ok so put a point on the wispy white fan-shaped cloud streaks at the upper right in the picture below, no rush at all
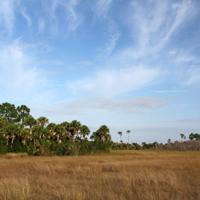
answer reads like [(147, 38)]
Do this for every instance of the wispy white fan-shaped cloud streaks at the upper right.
[(156, 24)]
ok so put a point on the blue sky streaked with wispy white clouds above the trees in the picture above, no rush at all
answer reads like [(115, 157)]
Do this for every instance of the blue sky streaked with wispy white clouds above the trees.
[(130, 64)]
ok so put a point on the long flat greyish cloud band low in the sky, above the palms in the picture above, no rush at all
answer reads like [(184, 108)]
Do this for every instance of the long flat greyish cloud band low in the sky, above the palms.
[(87, 105)]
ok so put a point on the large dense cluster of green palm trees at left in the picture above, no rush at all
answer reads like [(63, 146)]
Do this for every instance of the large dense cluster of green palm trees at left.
[(21, 132)]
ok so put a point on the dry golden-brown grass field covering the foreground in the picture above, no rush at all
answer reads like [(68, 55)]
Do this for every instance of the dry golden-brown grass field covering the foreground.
[(119, 175)]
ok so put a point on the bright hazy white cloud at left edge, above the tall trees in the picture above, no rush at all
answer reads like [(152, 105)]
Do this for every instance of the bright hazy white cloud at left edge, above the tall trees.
[(20, 77)]
